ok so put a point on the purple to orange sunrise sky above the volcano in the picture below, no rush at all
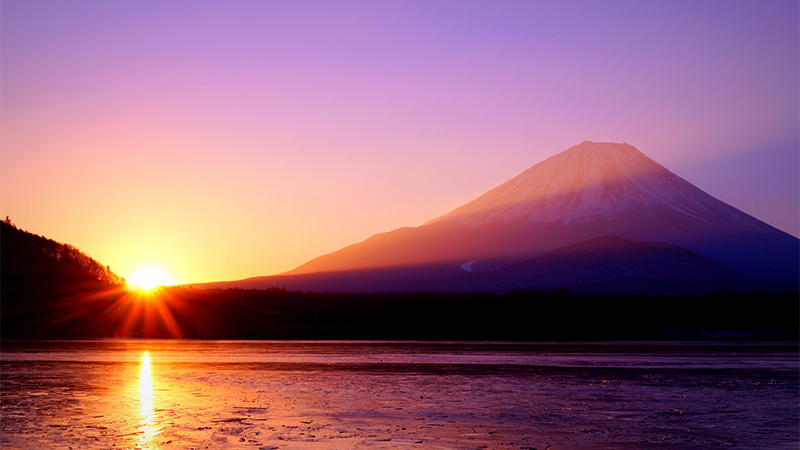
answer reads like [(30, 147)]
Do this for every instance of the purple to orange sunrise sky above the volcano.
[(220, 140)]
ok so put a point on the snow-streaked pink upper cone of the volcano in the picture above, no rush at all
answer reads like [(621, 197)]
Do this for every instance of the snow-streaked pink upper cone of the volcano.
[(585, 182)]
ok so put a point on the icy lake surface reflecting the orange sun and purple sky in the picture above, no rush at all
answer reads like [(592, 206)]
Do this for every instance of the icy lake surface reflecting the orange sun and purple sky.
[(387, 395)]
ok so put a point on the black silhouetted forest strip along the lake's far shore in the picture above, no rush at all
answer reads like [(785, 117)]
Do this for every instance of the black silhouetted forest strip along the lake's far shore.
[(176, 312)]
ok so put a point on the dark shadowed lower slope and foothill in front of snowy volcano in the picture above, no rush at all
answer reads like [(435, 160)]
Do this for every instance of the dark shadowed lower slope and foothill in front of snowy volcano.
[(607, 265)]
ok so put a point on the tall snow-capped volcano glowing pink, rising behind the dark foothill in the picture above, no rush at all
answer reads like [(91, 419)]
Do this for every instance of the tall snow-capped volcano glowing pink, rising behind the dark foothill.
[(589, 191)]
